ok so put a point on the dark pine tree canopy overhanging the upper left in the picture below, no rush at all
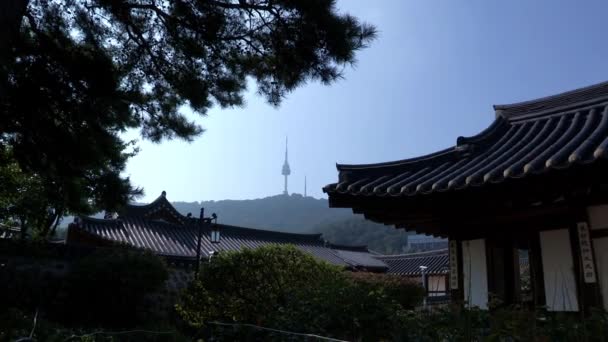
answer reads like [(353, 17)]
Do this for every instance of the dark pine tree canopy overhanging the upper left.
[(76, 74)]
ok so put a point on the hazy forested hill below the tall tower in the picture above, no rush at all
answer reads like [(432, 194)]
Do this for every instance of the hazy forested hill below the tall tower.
[(299, 214)]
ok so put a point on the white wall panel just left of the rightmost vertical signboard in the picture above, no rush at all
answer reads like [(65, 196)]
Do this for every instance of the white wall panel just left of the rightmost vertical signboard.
[(558, 270)]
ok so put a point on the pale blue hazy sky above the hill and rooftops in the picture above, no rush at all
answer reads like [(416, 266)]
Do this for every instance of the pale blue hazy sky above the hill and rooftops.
[(433, 74)]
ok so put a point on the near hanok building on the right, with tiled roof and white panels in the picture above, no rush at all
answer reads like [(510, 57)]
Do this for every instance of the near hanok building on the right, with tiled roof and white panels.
[(534, 181)]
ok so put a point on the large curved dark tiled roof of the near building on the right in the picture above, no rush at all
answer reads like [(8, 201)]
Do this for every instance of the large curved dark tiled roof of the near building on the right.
[(532, 137)]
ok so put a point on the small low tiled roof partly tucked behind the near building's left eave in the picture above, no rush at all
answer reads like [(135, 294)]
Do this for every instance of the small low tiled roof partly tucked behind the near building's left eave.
[(437, 262)]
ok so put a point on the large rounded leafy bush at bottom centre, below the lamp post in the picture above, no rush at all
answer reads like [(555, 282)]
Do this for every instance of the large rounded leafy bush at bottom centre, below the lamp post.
[(281, 287)]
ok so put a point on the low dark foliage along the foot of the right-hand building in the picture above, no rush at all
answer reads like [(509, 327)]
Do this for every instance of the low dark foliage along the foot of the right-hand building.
[(504, 324)]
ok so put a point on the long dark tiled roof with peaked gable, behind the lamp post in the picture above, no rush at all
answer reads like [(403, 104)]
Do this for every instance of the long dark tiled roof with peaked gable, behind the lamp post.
[(160, 228)]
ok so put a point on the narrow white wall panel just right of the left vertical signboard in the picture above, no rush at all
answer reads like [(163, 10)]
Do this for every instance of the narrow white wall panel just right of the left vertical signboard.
[(475, 273)]
